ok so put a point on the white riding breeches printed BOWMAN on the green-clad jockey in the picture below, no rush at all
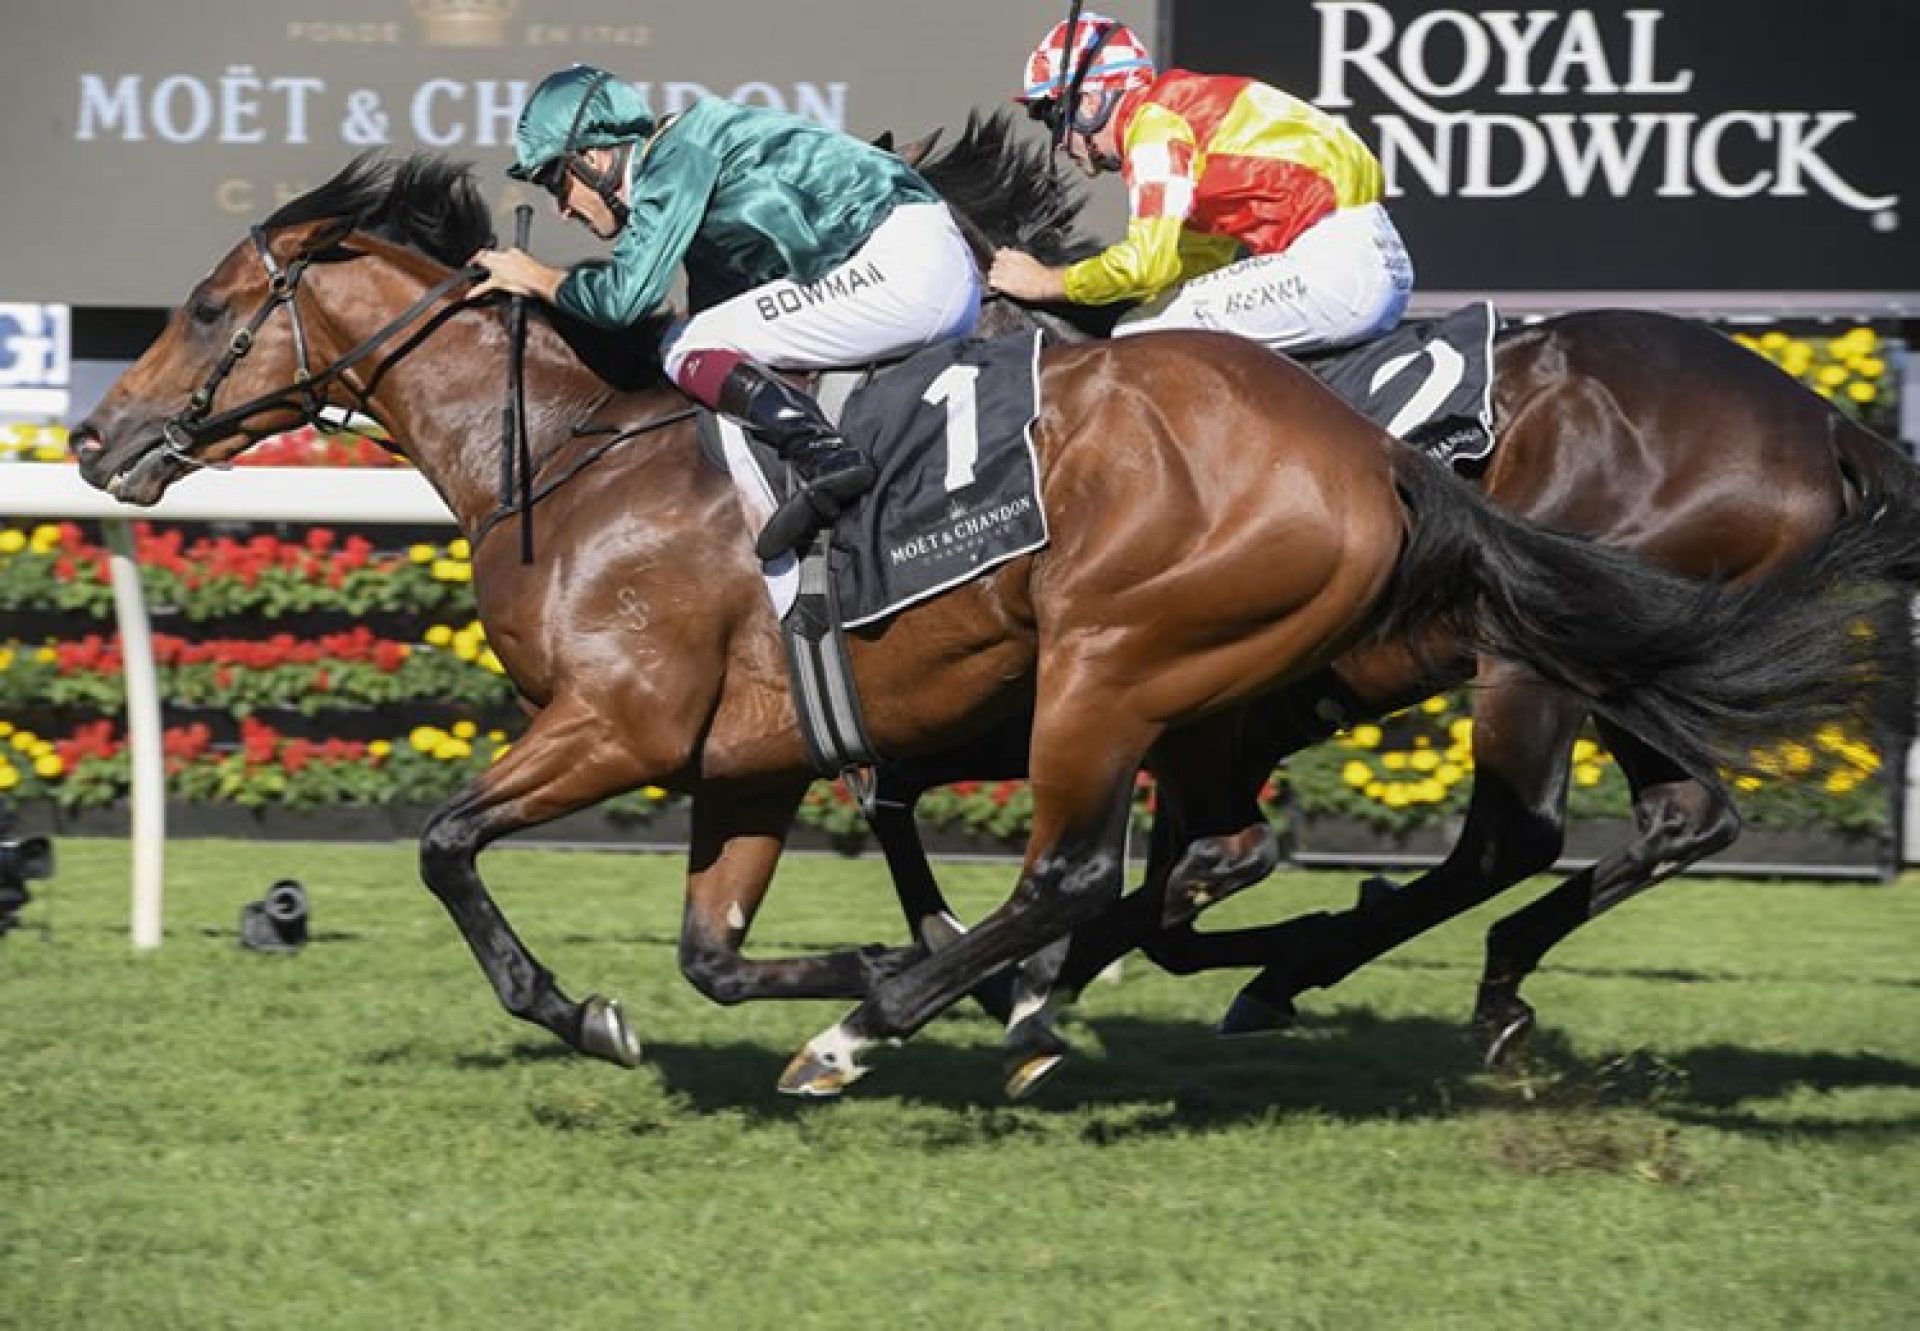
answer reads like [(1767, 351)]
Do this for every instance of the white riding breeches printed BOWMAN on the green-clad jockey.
[(911, 285)]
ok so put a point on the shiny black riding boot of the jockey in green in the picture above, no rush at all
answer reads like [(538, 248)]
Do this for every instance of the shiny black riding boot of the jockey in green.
[(832, 470)]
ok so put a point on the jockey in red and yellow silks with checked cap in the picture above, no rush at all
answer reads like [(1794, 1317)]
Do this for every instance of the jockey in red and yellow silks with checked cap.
[(1251, 210)]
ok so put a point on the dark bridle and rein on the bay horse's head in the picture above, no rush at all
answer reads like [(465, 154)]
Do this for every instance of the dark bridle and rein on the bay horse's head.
[(308, 393)]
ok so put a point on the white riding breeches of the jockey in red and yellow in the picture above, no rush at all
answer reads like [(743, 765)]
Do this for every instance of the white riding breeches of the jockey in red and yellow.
[(1345, 279)]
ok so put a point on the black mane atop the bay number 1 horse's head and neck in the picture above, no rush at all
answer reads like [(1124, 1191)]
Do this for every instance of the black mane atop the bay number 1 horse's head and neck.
[(423, 203)]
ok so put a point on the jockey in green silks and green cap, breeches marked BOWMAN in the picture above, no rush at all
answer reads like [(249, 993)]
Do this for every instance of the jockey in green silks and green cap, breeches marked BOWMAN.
[(805, 249)]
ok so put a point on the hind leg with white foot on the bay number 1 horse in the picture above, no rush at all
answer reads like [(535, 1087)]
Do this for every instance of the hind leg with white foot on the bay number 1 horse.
[(1086, 758)]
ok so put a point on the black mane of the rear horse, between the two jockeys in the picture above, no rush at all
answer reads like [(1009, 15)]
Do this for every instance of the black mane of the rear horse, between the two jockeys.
[(1003, 183)]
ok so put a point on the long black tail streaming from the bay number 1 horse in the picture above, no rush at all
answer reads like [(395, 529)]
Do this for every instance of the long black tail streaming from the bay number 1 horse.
[(1704, 673)]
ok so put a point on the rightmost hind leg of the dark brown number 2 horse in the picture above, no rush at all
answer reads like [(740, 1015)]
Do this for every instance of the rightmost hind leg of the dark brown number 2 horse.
[(1677, 823)]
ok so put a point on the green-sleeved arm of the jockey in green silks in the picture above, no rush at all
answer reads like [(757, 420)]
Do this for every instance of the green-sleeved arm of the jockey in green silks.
[(671, 195)]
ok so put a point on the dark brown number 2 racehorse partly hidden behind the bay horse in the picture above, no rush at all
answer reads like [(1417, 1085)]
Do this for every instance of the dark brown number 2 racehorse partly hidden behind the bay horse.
[(1639, 429)]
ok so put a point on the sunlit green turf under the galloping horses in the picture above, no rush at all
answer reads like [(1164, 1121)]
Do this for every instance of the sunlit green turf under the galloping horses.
[(1717, 1126)]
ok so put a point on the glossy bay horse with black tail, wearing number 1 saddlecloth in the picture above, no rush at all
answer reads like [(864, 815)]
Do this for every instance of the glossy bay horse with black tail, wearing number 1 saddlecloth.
[(1222, 527)]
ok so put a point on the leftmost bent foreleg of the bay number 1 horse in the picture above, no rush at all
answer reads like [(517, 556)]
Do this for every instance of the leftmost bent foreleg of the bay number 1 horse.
[(560, 765)]
